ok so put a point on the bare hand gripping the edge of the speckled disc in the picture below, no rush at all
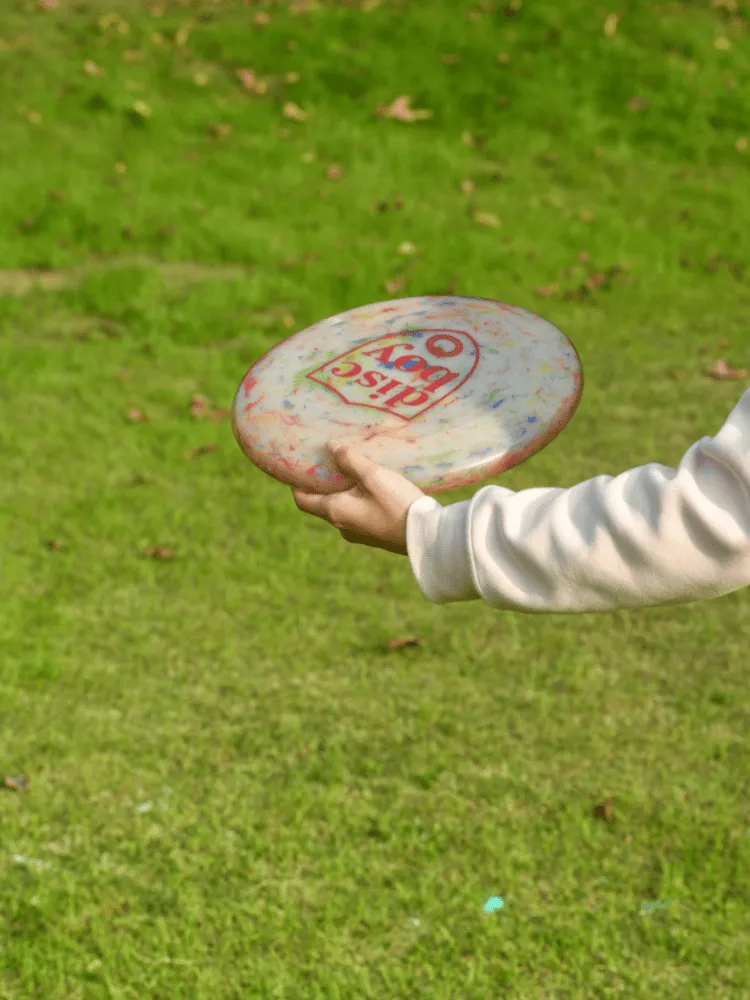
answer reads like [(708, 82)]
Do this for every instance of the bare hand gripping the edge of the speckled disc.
[(373, 512)]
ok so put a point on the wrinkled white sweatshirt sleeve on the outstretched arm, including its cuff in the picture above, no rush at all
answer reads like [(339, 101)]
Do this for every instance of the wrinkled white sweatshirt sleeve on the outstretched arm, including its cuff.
[(651, 536)]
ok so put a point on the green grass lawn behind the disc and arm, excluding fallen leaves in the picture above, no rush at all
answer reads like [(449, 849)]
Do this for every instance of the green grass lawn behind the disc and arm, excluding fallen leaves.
[(236, 789)]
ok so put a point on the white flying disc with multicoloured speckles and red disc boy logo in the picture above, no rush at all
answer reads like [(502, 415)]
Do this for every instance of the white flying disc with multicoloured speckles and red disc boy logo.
[(446, 390)]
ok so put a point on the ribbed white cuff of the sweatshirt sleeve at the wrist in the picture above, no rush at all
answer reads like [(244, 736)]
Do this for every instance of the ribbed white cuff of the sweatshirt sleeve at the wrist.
[(438, 549)]
